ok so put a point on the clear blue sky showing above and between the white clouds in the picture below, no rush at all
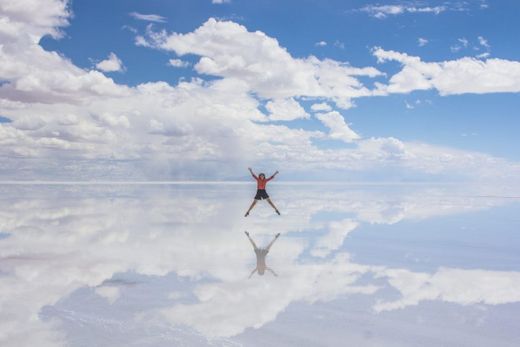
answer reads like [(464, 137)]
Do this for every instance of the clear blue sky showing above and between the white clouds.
[(484, 123)]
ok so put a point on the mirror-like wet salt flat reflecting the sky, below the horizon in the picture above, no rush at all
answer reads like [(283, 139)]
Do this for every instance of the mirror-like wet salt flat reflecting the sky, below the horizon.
[(170, 265)]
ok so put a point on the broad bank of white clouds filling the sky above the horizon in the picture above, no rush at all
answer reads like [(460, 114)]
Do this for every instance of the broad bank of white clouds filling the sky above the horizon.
[(72, 123)]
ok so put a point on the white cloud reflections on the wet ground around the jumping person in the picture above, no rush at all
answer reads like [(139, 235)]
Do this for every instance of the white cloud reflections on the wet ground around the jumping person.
[(63, 240)]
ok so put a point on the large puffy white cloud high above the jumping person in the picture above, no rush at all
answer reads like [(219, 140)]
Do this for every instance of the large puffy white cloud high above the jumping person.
[(228, 50)]
